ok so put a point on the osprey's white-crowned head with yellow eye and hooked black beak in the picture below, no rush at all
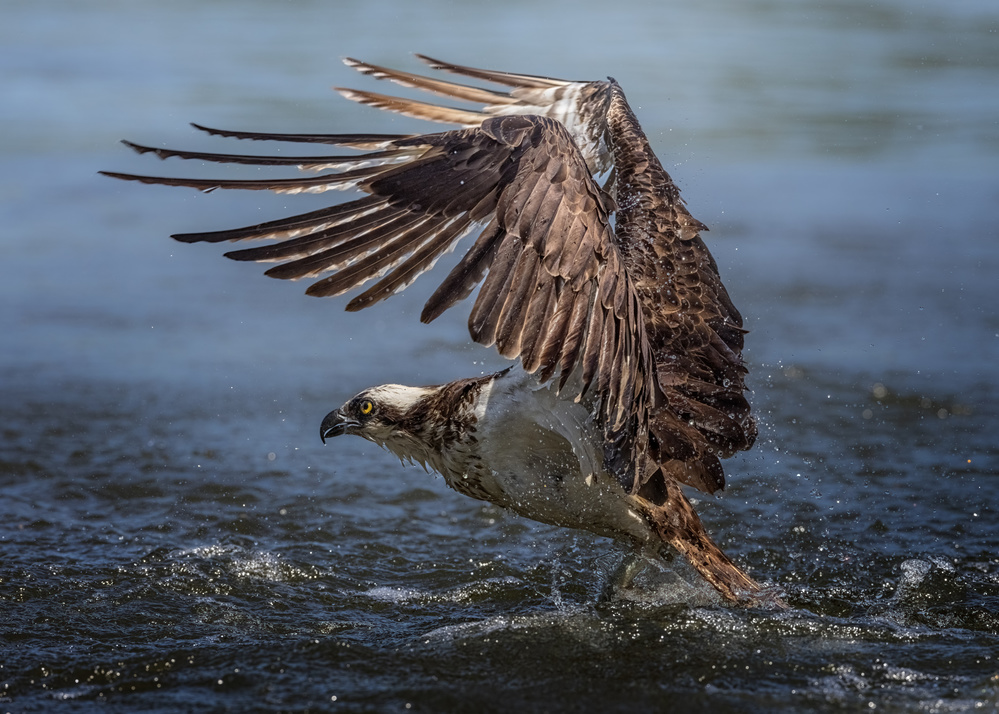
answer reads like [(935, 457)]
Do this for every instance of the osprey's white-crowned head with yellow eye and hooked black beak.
[(387, 415)]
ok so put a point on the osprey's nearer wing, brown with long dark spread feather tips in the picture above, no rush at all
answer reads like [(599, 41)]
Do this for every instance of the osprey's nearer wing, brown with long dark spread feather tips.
[(554, 290)]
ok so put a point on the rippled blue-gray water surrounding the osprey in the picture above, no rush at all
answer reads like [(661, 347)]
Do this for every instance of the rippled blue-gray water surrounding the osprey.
[(174, 537)]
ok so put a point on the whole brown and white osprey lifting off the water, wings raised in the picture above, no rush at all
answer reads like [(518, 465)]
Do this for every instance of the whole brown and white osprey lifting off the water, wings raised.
[(593, 275)]
